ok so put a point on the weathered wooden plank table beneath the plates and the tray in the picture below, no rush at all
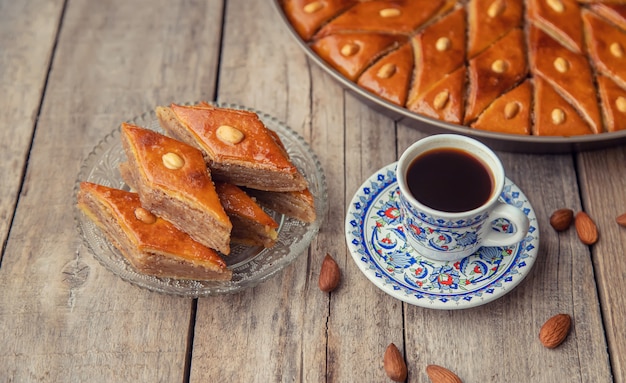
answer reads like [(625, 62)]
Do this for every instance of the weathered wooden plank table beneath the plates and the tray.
[(72, 71)]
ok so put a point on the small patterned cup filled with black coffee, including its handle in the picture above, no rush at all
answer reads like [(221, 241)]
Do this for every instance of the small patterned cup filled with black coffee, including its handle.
[(449, 197)]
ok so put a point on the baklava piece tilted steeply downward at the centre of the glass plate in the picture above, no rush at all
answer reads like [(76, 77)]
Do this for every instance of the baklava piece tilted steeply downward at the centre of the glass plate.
[(173, 182)]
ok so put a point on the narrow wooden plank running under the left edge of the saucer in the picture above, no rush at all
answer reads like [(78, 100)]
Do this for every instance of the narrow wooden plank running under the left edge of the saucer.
[(364, 320)]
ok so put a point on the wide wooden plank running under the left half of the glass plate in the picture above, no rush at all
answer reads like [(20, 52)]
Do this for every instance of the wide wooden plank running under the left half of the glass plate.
[(62, 315)]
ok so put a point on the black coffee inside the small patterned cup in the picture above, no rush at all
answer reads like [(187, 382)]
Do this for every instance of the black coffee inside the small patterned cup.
[(449, 180)]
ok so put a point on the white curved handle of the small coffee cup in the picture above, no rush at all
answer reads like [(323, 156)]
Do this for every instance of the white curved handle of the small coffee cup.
[(513, 215)]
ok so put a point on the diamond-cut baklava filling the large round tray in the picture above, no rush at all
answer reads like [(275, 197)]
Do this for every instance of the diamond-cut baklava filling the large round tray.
[(463, 61)]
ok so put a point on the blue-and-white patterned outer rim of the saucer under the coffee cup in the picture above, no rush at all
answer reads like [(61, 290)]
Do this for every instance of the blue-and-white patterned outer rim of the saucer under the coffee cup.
[(357, 216)]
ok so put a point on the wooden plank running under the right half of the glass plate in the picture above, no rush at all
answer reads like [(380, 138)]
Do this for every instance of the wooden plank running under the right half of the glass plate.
[(277, 330)]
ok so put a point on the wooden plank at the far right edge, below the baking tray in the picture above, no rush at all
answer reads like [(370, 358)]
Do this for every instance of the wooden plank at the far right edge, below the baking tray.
[(603, 184)]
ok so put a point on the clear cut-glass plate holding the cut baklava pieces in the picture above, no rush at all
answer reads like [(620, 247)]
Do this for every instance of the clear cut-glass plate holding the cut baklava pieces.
[(262, 265)]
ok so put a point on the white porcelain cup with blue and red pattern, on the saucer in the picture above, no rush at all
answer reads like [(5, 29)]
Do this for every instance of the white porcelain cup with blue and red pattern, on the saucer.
[(452, 235)]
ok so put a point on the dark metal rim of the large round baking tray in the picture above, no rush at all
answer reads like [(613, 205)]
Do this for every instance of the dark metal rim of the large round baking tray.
[(498, 141)]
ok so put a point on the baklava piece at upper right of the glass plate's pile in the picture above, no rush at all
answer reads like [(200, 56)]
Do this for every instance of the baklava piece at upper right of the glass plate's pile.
[(237, 146)]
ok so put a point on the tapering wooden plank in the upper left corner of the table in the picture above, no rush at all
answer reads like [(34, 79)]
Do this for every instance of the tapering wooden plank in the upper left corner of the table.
[(27, 31)]
